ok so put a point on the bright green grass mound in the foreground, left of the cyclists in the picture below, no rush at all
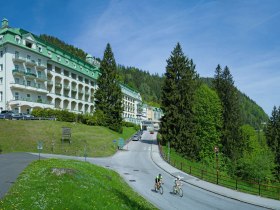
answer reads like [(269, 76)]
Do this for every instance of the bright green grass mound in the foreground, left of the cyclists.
[(68, 184)]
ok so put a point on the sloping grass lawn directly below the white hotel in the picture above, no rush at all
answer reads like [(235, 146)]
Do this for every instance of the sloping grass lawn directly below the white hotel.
[(23, 135)]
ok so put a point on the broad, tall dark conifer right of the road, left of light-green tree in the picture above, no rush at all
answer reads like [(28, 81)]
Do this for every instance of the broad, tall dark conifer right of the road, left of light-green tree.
[(177, 103)]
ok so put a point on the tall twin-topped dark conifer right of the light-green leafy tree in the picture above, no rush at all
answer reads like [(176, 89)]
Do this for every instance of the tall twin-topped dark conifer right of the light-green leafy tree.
[(231, 137)]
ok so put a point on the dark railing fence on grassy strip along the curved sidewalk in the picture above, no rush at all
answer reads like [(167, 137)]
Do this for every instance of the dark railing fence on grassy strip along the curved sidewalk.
[(248, 186)]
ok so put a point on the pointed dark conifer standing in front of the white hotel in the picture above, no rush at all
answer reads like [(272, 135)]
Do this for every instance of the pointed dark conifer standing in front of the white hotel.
[(108, 95)]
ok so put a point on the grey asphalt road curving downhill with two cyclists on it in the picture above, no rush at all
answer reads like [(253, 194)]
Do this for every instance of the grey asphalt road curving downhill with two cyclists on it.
[(138, 169)]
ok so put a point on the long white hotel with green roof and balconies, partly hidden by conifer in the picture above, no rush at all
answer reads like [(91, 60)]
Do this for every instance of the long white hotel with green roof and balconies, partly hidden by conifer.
[(37, 74)]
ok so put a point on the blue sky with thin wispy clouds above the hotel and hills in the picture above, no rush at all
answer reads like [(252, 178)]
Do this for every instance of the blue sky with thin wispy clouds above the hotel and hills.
[(242, 34)]
